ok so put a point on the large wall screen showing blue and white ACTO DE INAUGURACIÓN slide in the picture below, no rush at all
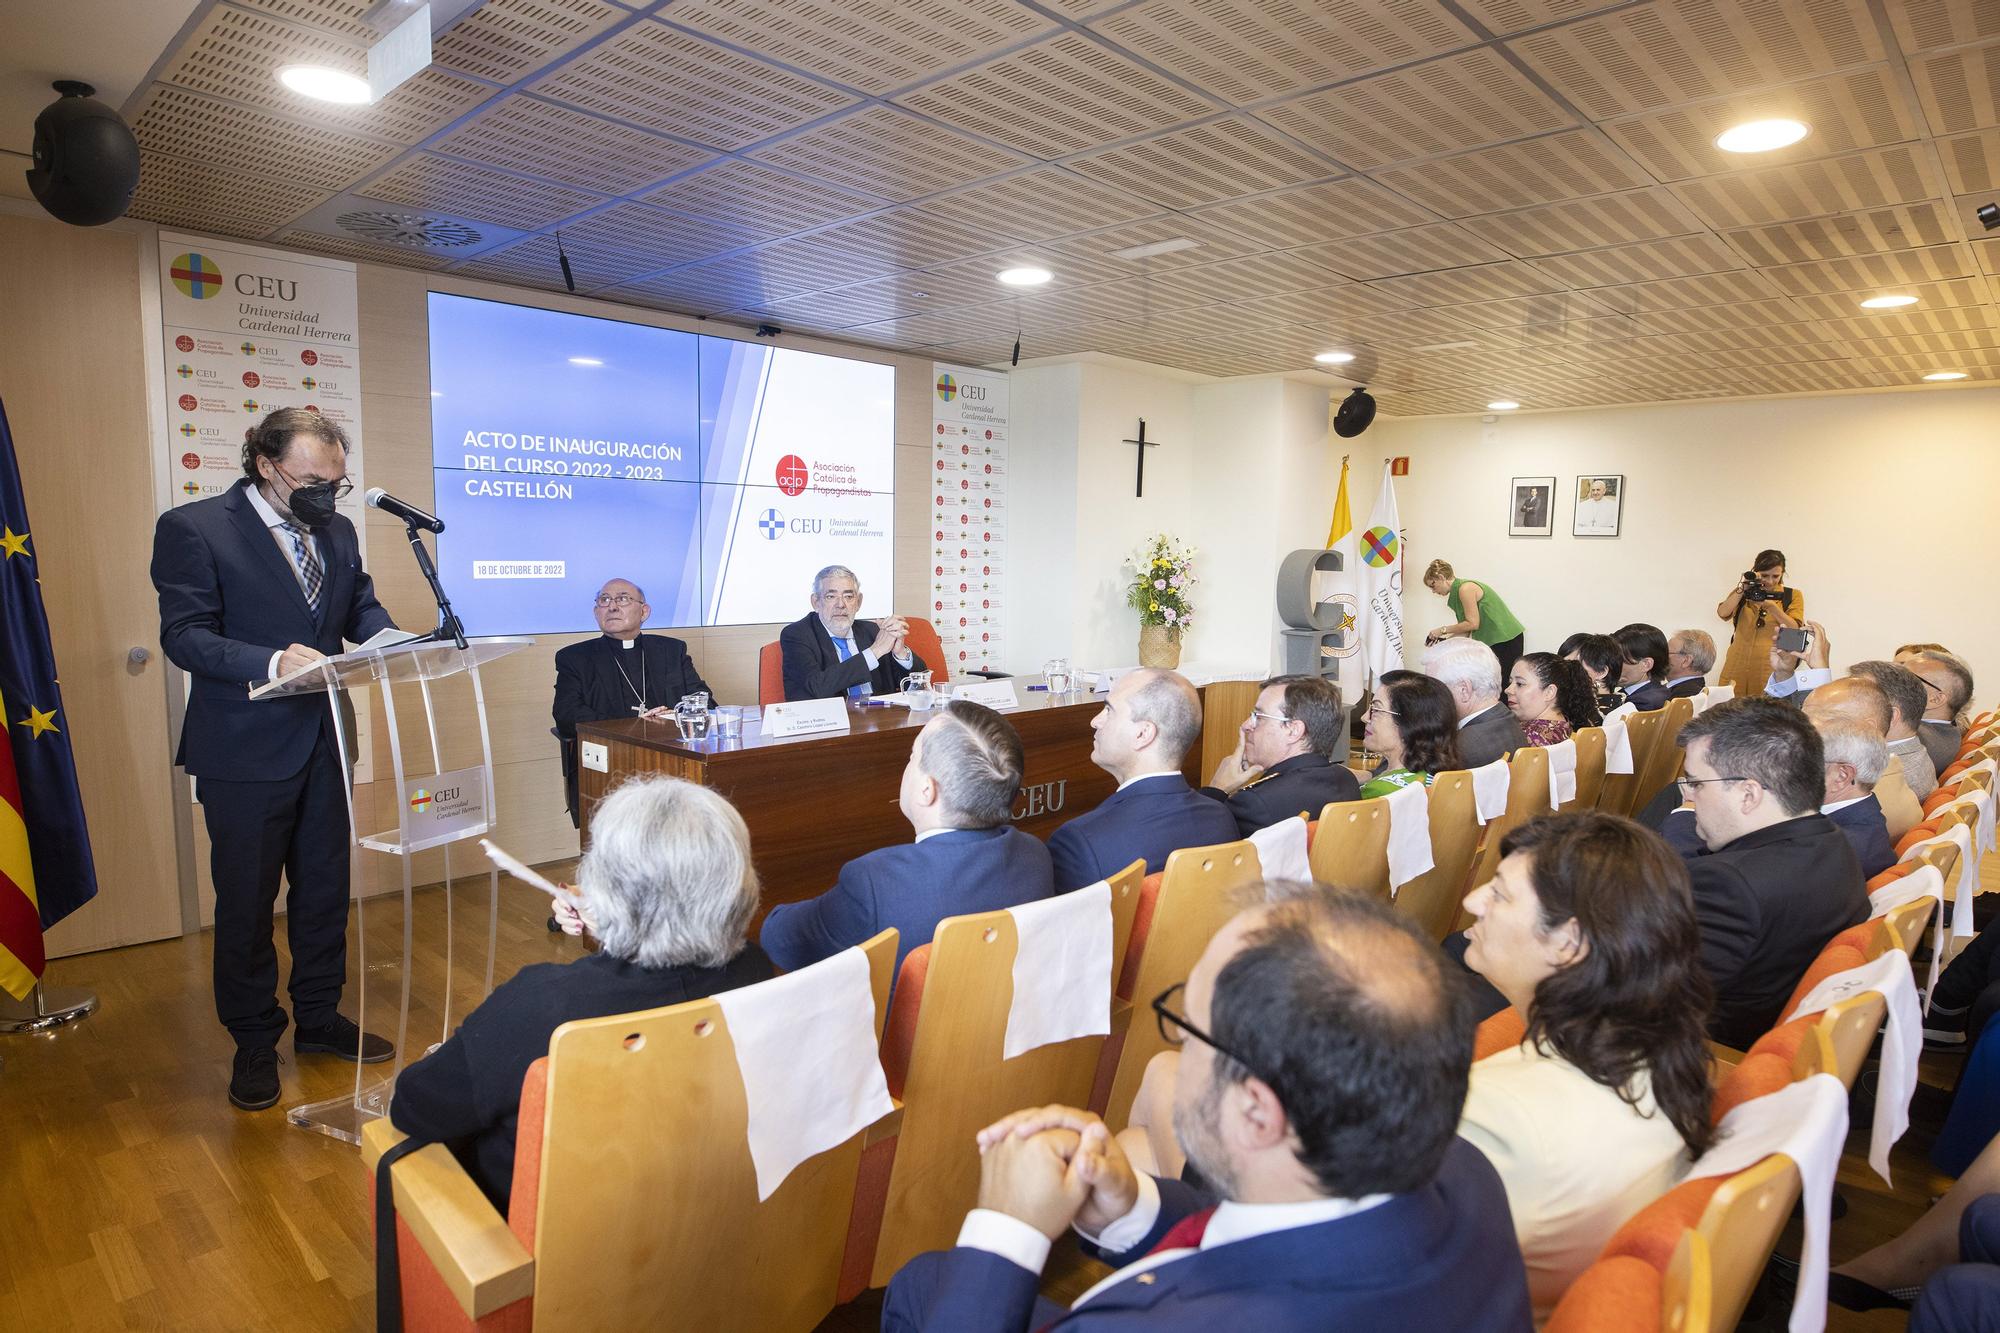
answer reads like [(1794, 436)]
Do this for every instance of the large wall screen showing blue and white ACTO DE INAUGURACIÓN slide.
[(717, 475)]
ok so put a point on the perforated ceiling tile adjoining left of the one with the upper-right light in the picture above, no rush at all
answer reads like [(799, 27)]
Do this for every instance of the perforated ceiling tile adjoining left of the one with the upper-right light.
[(1539, 171)]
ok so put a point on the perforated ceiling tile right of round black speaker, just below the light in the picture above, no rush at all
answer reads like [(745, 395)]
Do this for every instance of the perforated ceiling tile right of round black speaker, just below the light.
[(207, 131)]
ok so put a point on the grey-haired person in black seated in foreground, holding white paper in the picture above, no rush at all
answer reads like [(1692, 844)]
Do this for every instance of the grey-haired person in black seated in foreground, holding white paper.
[(667, 890)]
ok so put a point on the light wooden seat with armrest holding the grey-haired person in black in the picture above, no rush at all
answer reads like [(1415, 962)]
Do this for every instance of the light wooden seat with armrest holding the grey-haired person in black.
[(623, 1124)]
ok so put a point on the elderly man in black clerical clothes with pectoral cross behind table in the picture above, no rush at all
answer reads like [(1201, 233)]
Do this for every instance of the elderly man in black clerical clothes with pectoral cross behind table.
[(619, 674)]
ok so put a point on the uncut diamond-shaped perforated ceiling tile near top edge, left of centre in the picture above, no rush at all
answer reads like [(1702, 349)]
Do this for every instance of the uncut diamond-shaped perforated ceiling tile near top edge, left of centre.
[(683, 85)]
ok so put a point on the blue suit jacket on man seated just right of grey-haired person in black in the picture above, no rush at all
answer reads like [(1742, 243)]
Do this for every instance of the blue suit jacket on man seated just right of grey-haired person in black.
[(911, 888)]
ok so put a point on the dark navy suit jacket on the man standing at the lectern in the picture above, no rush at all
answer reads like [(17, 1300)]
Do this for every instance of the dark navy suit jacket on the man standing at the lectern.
[(229, 599)]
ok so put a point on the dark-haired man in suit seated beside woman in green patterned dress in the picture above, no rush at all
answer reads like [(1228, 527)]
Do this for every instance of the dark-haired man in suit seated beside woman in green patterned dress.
[(1287, 760)]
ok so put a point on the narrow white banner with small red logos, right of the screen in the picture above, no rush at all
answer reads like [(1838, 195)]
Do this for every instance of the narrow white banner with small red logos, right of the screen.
[(969, 511)]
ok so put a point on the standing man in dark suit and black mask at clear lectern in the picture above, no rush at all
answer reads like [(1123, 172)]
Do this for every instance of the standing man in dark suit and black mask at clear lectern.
[(257, 583)]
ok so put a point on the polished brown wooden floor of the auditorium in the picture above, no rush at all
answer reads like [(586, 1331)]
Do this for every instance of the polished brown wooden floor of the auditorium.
[(139, 1198)]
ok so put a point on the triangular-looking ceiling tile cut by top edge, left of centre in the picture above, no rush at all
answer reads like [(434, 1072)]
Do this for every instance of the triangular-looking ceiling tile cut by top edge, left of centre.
[(869, 45)]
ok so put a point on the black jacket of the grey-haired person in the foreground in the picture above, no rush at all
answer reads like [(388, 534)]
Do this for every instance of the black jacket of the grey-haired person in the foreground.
[(467, 1094)]
